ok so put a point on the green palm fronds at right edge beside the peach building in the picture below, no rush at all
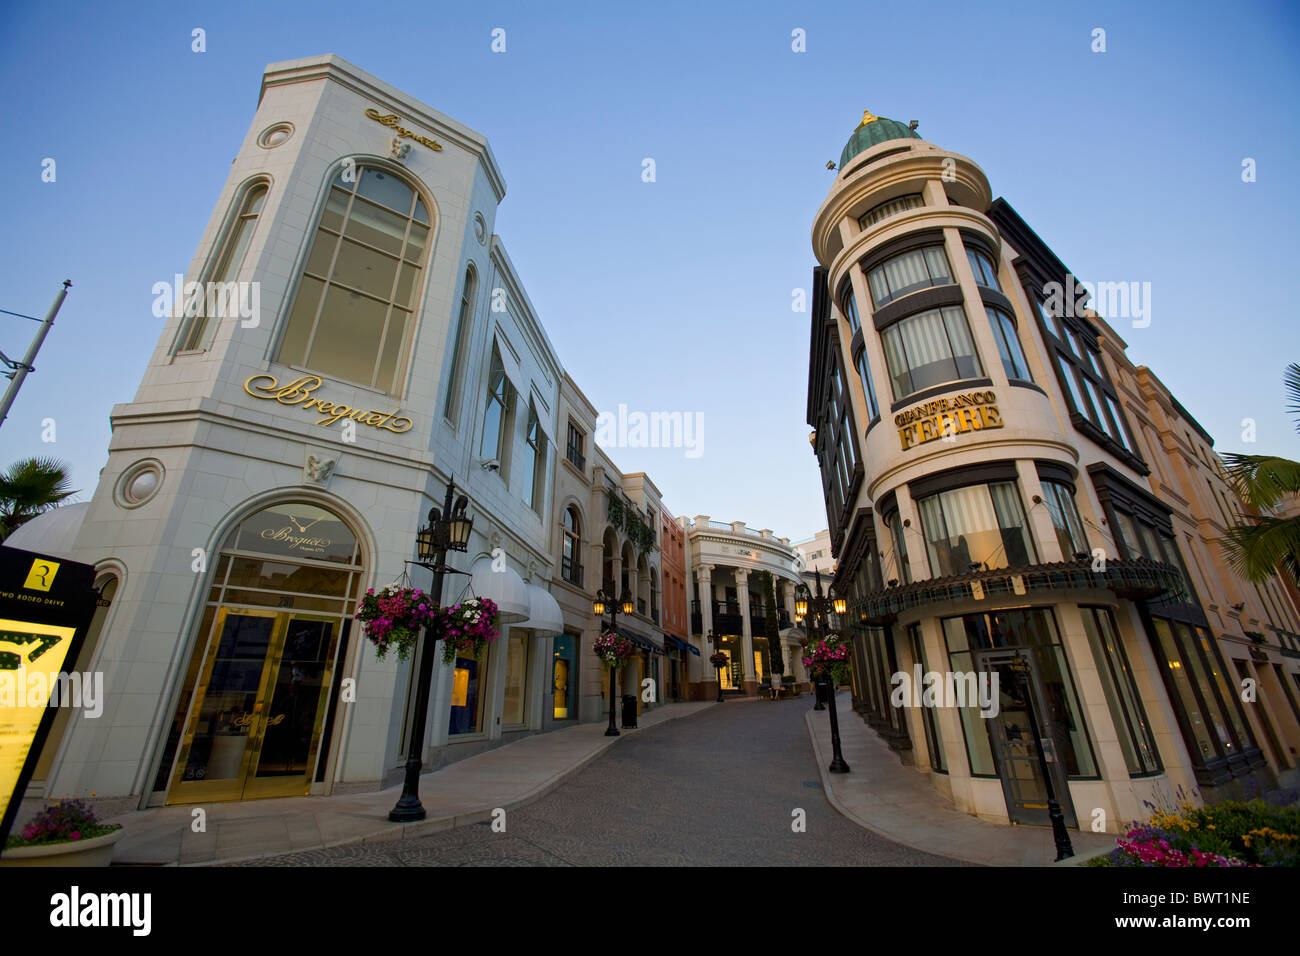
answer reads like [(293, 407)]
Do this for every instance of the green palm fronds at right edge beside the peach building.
[(1258, 550)]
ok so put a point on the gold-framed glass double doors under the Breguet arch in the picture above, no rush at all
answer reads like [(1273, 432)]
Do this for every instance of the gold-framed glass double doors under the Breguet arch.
[(254, 729)]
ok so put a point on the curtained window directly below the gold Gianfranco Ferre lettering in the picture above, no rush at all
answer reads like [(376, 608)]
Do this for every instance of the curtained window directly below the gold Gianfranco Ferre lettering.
[(980, 526)]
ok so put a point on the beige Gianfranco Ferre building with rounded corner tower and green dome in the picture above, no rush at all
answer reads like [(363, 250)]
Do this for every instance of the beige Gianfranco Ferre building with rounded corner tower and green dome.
[(991, 516)]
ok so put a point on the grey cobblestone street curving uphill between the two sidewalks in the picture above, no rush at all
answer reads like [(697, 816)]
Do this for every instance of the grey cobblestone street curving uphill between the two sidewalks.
[(716, 789)]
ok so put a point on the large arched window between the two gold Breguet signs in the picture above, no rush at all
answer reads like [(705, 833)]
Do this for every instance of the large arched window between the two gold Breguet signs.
[(354, 315)]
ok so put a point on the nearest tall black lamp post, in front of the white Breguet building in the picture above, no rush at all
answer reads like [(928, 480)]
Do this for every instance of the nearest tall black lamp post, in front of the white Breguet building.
[(448, 531)]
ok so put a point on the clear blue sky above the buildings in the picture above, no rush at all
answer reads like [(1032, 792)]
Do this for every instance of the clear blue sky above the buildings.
[(679, 295)]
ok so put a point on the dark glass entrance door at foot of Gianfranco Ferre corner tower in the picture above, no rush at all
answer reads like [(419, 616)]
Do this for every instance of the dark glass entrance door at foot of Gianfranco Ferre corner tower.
[(1016, 746)]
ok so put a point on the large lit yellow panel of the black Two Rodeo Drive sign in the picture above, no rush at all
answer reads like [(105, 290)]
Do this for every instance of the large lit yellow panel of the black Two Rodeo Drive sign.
[(36, 663)]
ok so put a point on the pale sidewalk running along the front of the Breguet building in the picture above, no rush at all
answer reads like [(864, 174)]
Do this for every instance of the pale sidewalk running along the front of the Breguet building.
[(463, 793)]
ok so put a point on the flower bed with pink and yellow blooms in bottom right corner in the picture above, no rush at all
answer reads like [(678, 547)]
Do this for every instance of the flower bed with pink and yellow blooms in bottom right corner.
[(1228, 834)]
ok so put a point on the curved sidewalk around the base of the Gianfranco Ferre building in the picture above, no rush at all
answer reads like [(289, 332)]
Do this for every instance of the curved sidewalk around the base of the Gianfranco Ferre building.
[(896, 802)]
